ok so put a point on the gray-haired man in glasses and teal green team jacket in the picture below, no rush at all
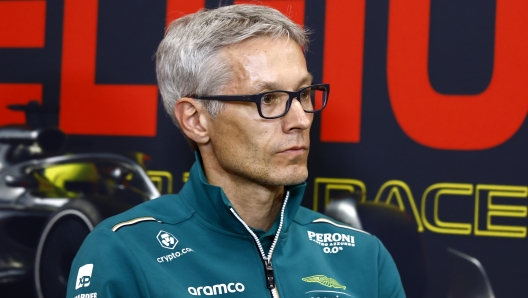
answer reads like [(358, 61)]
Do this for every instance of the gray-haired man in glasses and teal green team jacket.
[(236, 228)]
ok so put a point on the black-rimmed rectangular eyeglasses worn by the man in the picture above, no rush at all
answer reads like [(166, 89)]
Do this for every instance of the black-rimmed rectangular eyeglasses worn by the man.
[(277, 103)]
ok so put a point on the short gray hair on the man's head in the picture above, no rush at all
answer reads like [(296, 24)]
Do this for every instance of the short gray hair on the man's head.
[(188, 61)]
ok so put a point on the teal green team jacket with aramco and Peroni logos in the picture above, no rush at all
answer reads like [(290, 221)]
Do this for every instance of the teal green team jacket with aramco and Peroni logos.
[(193, 244)]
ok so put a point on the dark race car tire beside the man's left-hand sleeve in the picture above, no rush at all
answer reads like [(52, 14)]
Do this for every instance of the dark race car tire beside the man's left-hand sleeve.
[(61, 238)]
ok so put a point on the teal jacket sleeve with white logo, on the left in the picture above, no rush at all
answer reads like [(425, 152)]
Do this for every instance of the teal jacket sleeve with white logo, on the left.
[(105, 267)]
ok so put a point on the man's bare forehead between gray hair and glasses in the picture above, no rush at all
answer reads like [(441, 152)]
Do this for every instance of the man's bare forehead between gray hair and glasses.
[(263, 62)]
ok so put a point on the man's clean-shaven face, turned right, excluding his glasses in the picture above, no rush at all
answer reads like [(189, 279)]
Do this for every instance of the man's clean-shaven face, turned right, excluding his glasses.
[(270, 152)]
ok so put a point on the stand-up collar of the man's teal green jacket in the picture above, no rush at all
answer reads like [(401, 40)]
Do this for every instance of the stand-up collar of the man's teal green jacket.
[(213, 206)]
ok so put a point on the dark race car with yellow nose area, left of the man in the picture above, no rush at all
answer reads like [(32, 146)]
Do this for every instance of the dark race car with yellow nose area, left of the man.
[(50, 202)]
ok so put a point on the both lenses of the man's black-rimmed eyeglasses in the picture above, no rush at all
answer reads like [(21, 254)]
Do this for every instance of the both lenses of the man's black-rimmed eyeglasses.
[(275, 103)]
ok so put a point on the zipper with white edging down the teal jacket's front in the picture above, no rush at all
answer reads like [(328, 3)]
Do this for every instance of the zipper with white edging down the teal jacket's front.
[(268, 267)]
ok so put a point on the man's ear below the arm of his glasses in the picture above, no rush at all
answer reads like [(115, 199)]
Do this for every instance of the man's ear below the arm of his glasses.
[(193, 119)]
